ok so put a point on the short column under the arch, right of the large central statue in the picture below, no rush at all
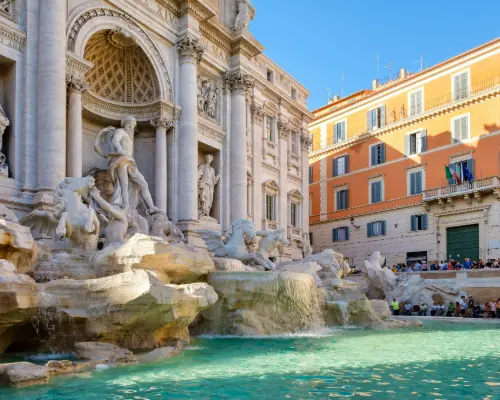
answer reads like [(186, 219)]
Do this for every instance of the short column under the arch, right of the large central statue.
[(162, 125)]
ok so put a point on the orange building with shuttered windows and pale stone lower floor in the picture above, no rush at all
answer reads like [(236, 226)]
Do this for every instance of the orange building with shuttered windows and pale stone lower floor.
[(377, 165)]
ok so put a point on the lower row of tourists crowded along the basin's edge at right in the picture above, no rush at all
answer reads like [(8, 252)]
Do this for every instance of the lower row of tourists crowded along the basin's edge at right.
[(467, 307)]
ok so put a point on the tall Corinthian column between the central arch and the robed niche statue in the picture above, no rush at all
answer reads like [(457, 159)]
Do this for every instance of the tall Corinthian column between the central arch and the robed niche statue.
[(190, 53)]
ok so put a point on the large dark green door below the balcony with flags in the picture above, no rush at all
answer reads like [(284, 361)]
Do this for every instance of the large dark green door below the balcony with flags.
[(462, 242)]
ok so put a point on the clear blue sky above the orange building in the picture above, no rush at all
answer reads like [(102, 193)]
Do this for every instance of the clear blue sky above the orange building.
[(317, 41)]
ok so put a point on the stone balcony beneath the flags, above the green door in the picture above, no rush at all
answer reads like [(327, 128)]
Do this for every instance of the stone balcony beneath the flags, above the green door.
[(467, 190)]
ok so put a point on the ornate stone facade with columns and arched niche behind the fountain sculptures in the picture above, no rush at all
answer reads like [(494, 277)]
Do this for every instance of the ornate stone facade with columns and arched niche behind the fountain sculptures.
[(196, 82)]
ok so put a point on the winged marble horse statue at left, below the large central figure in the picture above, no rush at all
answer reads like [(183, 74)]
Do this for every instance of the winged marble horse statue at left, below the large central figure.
[(72, 218)]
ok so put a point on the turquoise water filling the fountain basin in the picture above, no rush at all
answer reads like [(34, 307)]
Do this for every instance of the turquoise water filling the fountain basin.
[(441, 361)]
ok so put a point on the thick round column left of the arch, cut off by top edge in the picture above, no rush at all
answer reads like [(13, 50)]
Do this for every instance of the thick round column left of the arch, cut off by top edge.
[(51, 126)]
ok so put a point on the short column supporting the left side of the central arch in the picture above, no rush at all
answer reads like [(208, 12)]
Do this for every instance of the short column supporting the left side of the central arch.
[(74, 151)]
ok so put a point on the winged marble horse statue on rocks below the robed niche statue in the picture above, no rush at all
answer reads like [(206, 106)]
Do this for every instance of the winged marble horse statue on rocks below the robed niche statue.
[(234, 245)]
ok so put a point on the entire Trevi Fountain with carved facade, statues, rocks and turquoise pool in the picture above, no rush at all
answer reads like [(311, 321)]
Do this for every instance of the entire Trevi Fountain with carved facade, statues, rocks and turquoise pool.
[(143, 254)]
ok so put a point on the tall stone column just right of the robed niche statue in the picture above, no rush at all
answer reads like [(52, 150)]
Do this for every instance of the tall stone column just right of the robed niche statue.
[(238, 83)]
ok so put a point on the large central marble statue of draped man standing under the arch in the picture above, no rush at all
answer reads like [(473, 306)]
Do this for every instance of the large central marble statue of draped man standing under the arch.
[(117, 145)]
